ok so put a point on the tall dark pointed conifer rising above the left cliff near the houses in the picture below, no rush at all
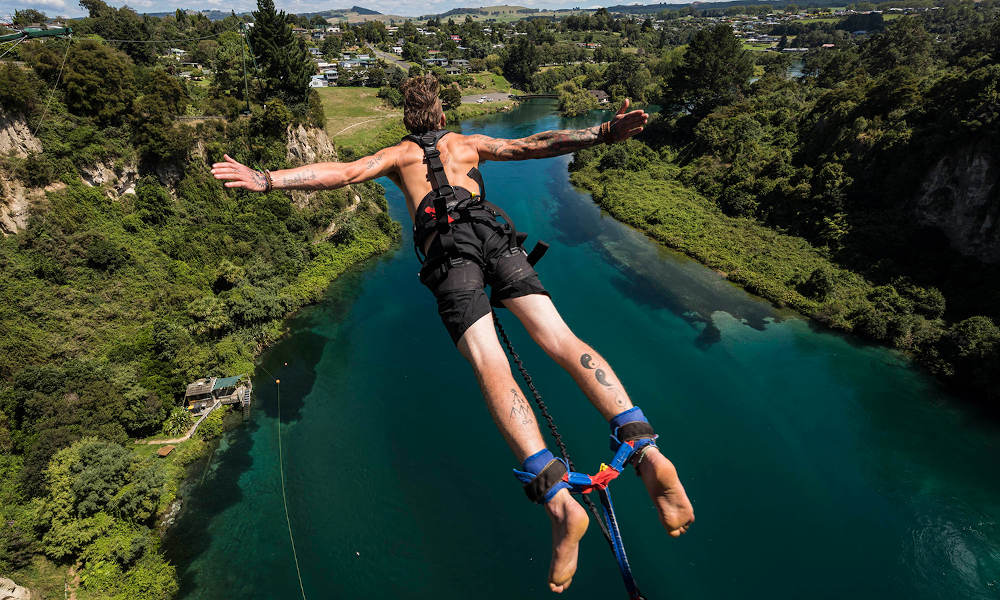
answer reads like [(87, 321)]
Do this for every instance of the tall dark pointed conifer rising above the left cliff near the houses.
[(285, 68)]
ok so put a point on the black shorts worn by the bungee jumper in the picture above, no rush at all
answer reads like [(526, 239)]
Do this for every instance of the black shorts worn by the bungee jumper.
[(487, 259)]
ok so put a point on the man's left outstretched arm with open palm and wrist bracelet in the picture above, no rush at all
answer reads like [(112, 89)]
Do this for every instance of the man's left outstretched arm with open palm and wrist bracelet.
[(317, 176)]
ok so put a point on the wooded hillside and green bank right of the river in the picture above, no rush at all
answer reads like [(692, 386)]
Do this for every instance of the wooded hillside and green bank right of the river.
[(836, 158)]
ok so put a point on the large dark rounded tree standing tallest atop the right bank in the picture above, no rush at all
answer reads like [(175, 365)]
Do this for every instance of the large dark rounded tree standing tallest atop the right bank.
[(716, 70)]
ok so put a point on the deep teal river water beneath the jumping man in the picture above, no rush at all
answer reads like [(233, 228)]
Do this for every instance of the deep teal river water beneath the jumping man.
[(819, 467)]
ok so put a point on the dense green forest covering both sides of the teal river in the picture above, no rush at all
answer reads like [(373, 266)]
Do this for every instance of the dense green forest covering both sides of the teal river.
[(863, 193)]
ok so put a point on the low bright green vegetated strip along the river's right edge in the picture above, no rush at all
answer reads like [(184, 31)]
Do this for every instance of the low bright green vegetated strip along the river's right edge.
[(641, 188)]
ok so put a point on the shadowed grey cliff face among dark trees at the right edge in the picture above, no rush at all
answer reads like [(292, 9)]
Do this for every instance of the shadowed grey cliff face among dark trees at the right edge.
[(961, 196)]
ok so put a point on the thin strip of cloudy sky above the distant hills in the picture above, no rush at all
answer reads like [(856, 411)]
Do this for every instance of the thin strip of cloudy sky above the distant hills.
[(71, 8)]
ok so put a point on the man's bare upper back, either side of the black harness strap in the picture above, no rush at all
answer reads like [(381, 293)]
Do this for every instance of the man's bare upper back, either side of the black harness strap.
[(459, 154)]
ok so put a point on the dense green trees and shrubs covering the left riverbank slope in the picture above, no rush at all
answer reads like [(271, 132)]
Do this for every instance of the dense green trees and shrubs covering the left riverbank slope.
[(115, 297)]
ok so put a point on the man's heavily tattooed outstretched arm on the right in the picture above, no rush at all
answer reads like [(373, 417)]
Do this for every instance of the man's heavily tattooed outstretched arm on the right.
[(553, 143)]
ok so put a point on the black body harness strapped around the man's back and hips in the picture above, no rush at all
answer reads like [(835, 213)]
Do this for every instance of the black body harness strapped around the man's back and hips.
[(446, 204)]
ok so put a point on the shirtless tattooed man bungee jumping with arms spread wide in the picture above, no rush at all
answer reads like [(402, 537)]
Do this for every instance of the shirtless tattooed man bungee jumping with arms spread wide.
[(465, 248)]
